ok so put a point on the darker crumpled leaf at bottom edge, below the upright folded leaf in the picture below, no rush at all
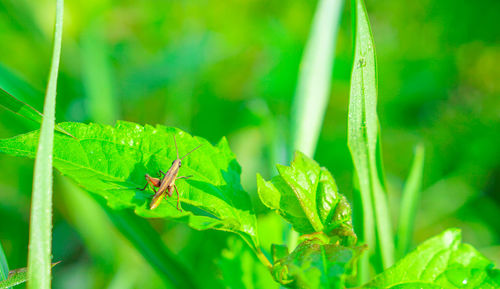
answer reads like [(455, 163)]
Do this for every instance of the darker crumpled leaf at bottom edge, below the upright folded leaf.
[(316, 263)]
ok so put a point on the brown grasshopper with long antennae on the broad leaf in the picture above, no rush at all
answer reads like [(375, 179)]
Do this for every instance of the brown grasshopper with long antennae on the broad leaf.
[(167, 182)]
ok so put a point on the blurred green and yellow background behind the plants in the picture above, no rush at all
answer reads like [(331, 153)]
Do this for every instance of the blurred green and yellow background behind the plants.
[(230, 68)]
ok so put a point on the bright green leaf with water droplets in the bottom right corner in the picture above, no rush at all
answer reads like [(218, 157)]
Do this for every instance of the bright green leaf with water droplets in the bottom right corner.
[(440, 262)]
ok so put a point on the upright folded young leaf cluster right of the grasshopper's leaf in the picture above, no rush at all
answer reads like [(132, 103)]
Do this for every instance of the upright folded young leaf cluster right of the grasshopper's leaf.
[(306, 196)]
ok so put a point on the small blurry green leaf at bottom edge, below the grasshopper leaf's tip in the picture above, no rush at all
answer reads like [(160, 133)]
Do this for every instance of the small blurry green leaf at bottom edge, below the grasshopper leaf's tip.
[(241, 269)]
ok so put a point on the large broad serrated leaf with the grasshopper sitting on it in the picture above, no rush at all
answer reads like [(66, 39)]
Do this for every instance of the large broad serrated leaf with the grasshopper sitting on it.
[(112, 162)]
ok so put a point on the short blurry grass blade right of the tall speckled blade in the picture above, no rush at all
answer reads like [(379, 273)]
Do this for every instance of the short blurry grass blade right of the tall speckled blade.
[(409, 202)]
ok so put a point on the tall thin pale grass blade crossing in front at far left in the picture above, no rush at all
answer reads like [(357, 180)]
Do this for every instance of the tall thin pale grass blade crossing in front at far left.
[(40, 235)]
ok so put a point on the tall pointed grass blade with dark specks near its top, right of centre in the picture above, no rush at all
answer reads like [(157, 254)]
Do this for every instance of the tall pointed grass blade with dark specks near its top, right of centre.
[(363, 138)]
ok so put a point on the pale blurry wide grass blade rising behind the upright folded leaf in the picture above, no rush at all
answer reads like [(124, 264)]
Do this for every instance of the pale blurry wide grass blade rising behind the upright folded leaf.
[(313, 87)]
